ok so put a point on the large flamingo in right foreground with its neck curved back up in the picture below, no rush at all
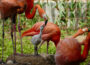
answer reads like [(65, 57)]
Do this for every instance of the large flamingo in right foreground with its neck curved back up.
[(68, 51)]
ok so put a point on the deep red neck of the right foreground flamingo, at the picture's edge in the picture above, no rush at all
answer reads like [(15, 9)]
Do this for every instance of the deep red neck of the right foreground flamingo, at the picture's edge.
[(86, 47)]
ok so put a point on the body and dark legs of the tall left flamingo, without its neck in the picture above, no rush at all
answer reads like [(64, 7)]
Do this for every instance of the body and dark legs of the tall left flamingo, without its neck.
[(9, 9)]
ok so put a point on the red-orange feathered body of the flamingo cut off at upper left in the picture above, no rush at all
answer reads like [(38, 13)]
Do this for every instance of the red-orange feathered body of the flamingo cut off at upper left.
[(8, 8)]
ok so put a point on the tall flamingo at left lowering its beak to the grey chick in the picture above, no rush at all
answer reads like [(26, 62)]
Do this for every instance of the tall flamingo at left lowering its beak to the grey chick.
[(10, 9)]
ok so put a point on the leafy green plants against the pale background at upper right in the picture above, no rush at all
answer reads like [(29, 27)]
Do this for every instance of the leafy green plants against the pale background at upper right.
[(73, 12)]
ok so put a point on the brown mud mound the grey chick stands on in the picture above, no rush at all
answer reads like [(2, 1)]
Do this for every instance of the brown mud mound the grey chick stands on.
[(32, 60)]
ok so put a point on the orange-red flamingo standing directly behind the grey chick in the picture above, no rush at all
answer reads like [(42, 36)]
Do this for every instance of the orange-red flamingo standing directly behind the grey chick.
[(50, 32)]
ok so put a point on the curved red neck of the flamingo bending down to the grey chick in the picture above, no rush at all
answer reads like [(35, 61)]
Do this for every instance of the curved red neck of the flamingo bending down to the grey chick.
[(34, 8)]
